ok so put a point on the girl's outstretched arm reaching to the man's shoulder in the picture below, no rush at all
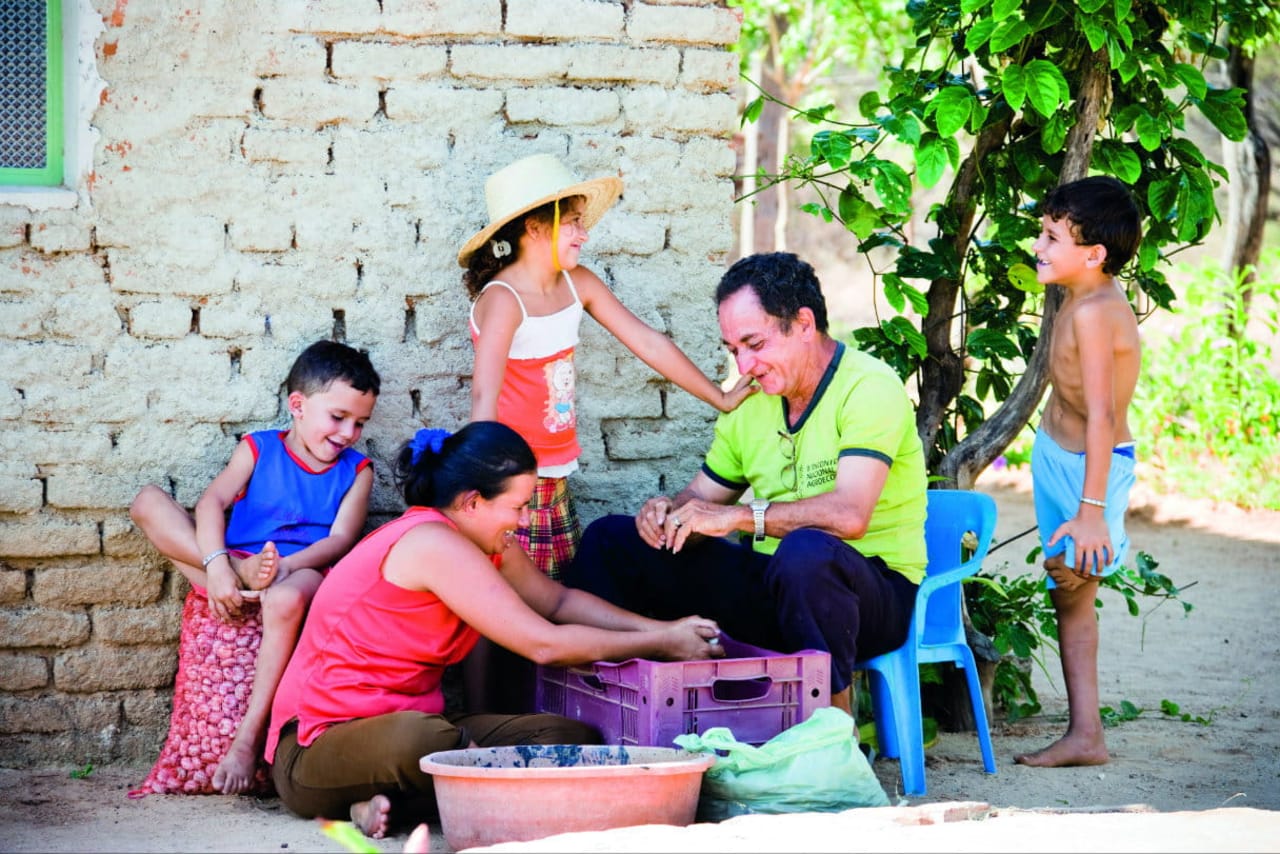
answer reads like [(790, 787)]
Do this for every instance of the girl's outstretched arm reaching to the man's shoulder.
[(652, 348)]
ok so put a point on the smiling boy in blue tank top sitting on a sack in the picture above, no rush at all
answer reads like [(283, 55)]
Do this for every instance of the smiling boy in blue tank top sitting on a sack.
[(287, 506)]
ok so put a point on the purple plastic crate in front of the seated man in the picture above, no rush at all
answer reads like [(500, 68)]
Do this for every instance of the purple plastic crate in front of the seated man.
[(755, 692)]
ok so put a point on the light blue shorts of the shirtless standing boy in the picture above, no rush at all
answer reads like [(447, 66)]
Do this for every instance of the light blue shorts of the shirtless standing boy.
[(1058, 483)]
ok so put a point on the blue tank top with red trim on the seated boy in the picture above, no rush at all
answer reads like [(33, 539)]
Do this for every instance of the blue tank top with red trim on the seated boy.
[(287, 503)]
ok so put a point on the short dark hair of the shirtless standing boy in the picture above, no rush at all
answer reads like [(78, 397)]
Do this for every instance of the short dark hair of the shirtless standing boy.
[(1101, 211)]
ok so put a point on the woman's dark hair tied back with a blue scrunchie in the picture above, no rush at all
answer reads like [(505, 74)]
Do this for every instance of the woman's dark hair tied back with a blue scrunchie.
[(482, 456)]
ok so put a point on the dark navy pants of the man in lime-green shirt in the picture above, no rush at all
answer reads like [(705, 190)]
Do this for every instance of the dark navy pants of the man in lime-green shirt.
[(816, 592)]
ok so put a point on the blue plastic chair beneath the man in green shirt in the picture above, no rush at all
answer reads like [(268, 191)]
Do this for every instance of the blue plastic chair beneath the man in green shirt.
[(936, 634)]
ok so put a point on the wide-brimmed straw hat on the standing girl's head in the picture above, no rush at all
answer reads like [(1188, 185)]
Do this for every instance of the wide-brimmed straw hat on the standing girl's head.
[(532, 182)]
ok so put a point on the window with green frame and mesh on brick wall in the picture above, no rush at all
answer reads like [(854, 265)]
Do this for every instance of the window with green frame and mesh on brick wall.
[(31, 94)]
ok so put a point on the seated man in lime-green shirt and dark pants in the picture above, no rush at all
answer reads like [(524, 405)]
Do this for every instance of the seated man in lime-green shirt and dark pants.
[(833, 541)]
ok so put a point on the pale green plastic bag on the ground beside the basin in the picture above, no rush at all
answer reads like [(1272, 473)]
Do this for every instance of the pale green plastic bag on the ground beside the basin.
[(815, 766)]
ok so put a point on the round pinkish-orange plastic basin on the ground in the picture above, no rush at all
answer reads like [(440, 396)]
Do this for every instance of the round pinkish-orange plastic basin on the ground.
[(490, 796)]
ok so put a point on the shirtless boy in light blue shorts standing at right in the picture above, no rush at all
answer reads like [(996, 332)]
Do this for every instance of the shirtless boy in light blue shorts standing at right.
[(1084, 459)]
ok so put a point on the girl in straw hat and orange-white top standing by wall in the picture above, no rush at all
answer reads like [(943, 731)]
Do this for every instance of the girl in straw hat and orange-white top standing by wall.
[(529, 295)]
